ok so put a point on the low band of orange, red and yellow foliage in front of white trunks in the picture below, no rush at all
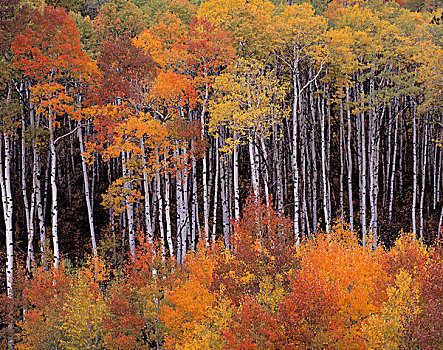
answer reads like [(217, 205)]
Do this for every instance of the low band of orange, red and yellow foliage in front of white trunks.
[(331, 293)]
